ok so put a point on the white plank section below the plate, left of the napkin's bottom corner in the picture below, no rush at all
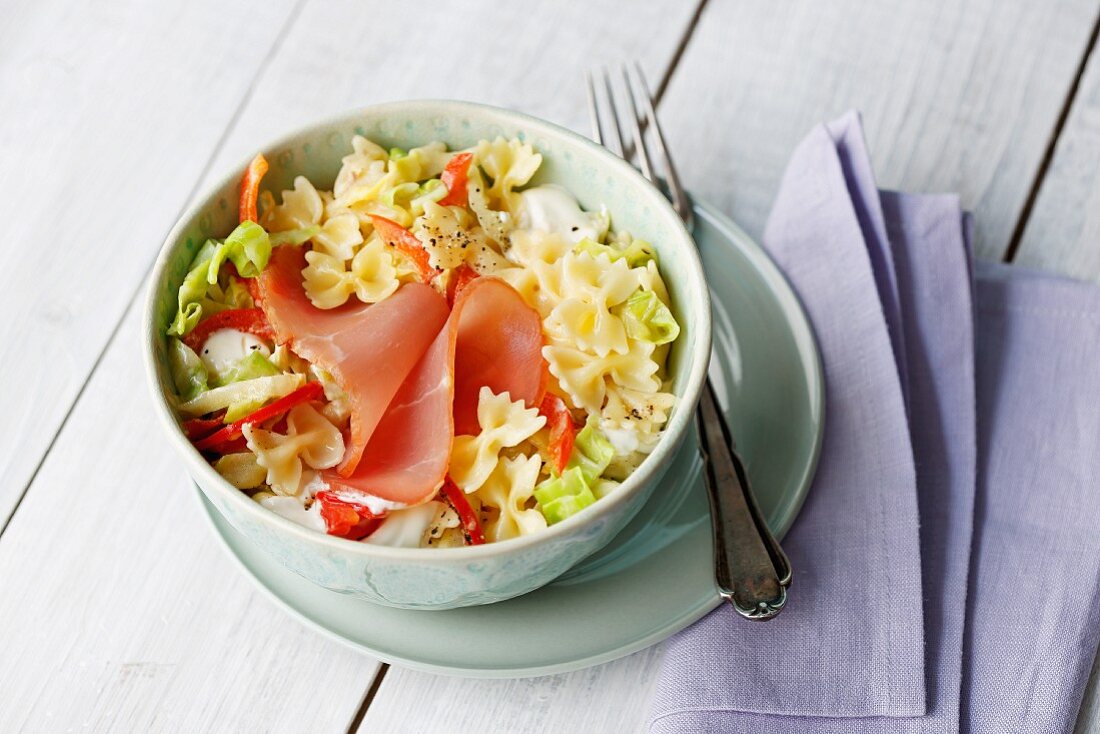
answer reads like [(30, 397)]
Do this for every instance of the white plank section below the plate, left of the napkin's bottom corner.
[(610, 698)]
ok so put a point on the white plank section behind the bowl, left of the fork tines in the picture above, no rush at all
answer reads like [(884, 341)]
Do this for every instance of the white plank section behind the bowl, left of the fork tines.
[(529, 57)]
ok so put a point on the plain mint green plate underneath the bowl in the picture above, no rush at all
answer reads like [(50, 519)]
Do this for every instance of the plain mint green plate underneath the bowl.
[(655, 578)]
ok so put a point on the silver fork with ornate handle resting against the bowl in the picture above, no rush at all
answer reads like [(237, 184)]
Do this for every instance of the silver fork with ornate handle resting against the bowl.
[(751, 568)]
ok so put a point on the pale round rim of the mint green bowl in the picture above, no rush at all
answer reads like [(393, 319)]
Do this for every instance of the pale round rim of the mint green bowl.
[(678, 426)]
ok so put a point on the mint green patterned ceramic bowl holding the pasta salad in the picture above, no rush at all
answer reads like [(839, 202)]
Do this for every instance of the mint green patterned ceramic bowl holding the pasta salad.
[(432, 579)]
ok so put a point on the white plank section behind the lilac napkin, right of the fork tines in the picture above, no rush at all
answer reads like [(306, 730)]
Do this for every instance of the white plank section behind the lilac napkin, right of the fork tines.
[(956, 97)]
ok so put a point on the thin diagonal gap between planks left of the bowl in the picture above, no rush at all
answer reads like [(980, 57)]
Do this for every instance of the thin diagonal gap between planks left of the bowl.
[(292, 17)]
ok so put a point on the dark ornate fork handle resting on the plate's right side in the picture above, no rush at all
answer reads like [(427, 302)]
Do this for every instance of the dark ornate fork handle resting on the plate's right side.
[(752, 571)]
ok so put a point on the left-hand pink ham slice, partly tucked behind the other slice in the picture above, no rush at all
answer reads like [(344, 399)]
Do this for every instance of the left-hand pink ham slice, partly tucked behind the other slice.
[(369, 349)]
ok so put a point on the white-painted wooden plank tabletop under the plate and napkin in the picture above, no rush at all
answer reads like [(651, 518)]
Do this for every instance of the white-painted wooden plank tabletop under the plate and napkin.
[(118, 610)]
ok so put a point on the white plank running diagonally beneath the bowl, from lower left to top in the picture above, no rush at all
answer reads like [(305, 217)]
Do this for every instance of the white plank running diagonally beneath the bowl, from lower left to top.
[(149, 627)]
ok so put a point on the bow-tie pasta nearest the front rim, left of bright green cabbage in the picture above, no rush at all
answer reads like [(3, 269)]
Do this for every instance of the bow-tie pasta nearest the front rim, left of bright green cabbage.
[(508, 491)]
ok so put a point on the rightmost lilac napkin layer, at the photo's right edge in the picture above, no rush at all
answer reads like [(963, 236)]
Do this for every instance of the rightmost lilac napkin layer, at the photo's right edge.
[(1035, 611)]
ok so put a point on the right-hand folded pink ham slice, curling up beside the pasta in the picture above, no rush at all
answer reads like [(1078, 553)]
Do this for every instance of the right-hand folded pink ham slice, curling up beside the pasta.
[(492, 338)]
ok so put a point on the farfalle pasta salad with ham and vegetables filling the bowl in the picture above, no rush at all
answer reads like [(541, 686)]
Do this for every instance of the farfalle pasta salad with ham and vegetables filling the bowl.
[(437, 353)]
